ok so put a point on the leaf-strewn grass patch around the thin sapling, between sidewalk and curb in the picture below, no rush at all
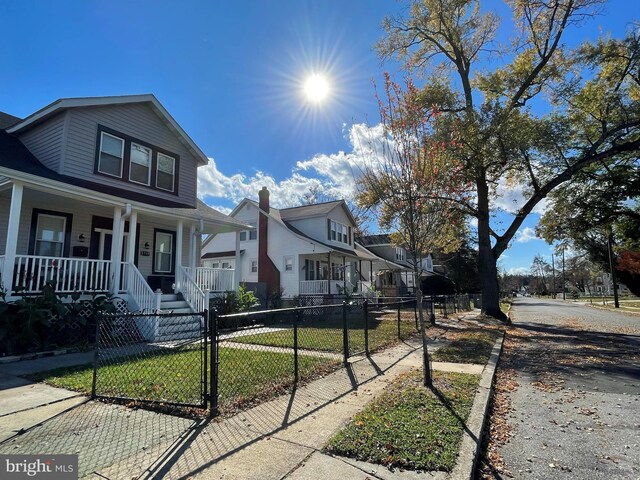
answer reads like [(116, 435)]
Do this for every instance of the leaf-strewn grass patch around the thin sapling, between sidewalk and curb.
[(409, 426)]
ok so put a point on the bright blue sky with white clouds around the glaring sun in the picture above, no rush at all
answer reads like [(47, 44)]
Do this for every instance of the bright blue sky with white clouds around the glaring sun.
[(231, 73)]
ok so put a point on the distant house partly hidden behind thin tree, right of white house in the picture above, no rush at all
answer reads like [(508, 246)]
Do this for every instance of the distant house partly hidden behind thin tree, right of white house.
[(396, 277)]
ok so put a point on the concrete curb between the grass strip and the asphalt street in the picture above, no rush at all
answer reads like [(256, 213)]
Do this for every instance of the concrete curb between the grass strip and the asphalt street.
[(472, 439)]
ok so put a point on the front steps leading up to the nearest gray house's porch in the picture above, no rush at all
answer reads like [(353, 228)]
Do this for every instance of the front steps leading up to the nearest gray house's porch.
[(180, 327)]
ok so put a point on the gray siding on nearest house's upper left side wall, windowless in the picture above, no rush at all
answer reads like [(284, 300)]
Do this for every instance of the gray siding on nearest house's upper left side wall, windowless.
[(45, 141)]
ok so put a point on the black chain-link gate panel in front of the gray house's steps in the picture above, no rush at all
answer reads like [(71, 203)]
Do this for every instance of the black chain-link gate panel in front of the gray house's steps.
[(152, 358)]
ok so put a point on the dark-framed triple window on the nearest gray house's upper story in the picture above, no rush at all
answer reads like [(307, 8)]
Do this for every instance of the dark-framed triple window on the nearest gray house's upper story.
[(135, 161)]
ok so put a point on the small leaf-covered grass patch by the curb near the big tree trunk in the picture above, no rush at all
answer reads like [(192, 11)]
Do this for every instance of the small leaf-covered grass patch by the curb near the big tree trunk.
[(469, 347)]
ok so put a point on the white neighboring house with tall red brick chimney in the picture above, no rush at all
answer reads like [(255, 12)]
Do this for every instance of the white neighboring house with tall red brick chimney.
[(306, 250)]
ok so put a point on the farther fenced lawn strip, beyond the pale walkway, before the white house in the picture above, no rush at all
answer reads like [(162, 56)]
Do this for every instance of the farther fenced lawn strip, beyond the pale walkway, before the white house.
[(326, 334)]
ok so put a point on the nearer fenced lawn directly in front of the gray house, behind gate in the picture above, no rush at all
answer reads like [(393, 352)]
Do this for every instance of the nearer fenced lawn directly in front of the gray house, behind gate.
[(170, 376)]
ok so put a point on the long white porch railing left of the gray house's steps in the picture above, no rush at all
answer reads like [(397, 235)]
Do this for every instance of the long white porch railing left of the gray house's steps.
[(68, 275)]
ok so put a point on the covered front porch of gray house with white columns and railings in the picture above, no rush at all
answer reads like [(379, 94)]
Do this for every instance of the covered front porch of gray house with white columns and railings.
[(89, 242)]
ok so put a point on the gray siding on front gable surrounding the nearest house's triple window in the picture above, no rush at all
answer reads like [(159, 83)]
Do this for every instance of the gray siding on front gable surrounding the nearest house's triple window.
[(138, 121)]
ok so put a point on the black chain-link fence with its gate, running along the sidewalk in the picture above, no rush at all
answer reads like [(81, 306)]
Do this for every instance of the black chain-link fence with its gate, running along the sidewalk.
[(234, 361)]
